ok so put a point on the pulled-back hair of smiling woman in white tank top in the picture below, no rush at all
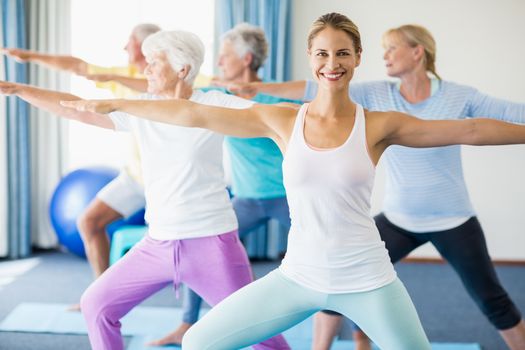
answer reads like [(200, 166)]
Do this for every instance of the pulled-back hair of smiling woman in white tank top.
[(339, 22)]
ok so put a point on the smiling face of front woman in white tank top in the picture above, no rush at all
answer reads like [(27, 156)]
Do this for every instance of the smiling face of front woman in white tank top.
[(333, 58)]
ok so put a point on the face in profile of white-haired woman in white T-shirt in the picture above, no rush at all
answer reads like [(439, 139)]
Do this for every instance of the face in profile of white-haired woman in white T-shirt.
[(161, 76)]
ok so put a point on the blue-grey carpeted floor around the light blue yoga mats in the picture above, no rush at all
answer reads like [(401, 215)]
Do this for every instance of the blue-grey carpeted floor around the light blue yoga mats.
[(446, 311)]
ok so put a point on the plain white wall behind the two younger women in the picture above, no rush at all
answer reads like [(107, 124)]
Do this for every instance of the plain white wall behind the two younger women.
[(480, 43)]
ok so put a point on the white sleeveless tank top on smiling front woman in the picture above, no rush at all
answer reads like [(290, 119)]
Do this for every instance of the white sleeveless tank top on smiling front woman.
[(333, 244)]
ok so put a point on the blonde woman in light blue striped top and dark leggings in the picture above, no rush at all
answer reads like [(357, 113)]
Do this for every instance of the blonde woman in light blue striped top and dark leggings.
[(426, 198)]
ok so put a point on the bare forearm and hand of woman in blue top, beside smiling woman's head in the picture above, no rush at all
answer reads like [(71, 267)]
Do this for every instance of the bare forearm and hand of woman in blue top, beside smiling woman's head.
[(293, 90)]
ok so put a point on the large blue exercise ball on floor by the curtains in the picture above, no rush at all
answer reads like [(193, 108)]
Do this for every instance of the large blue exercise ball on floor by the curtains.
[(72, 196)]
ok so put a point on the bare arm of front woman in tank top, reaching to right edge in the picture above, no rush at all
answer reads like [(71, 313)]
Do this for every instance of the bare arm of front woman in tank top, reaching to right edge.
[(402, 129)]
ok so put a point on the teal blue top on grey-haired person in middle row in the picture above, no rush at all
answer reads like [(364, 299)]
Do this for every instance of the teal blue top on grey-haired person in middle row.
[(257, 162)]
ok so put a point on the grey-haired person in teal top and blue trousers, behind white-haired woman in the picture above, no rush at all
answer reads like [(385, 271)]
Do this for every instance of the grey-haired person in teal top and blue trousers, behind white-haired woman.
[(257, 180)]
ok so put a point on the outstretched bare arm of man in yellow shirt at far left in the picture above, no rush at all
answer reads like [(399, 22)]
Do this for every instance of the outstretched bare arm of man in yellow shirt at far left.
[(60, 62)]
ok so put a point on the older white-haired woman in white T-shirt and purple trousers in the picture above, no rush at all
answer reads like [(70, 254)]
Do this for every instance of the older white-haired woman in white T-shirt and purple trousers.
[(189, 212)]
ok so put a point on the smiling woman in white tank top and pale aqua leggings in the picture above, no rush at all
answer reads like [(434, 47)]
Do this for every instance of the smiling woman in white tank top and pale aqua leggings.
[(335, 258)]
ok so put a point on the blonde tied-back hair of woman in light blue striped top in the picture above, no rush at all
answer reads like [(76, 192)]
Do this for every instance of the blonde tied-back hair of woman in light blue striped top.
[(415, 35)]
